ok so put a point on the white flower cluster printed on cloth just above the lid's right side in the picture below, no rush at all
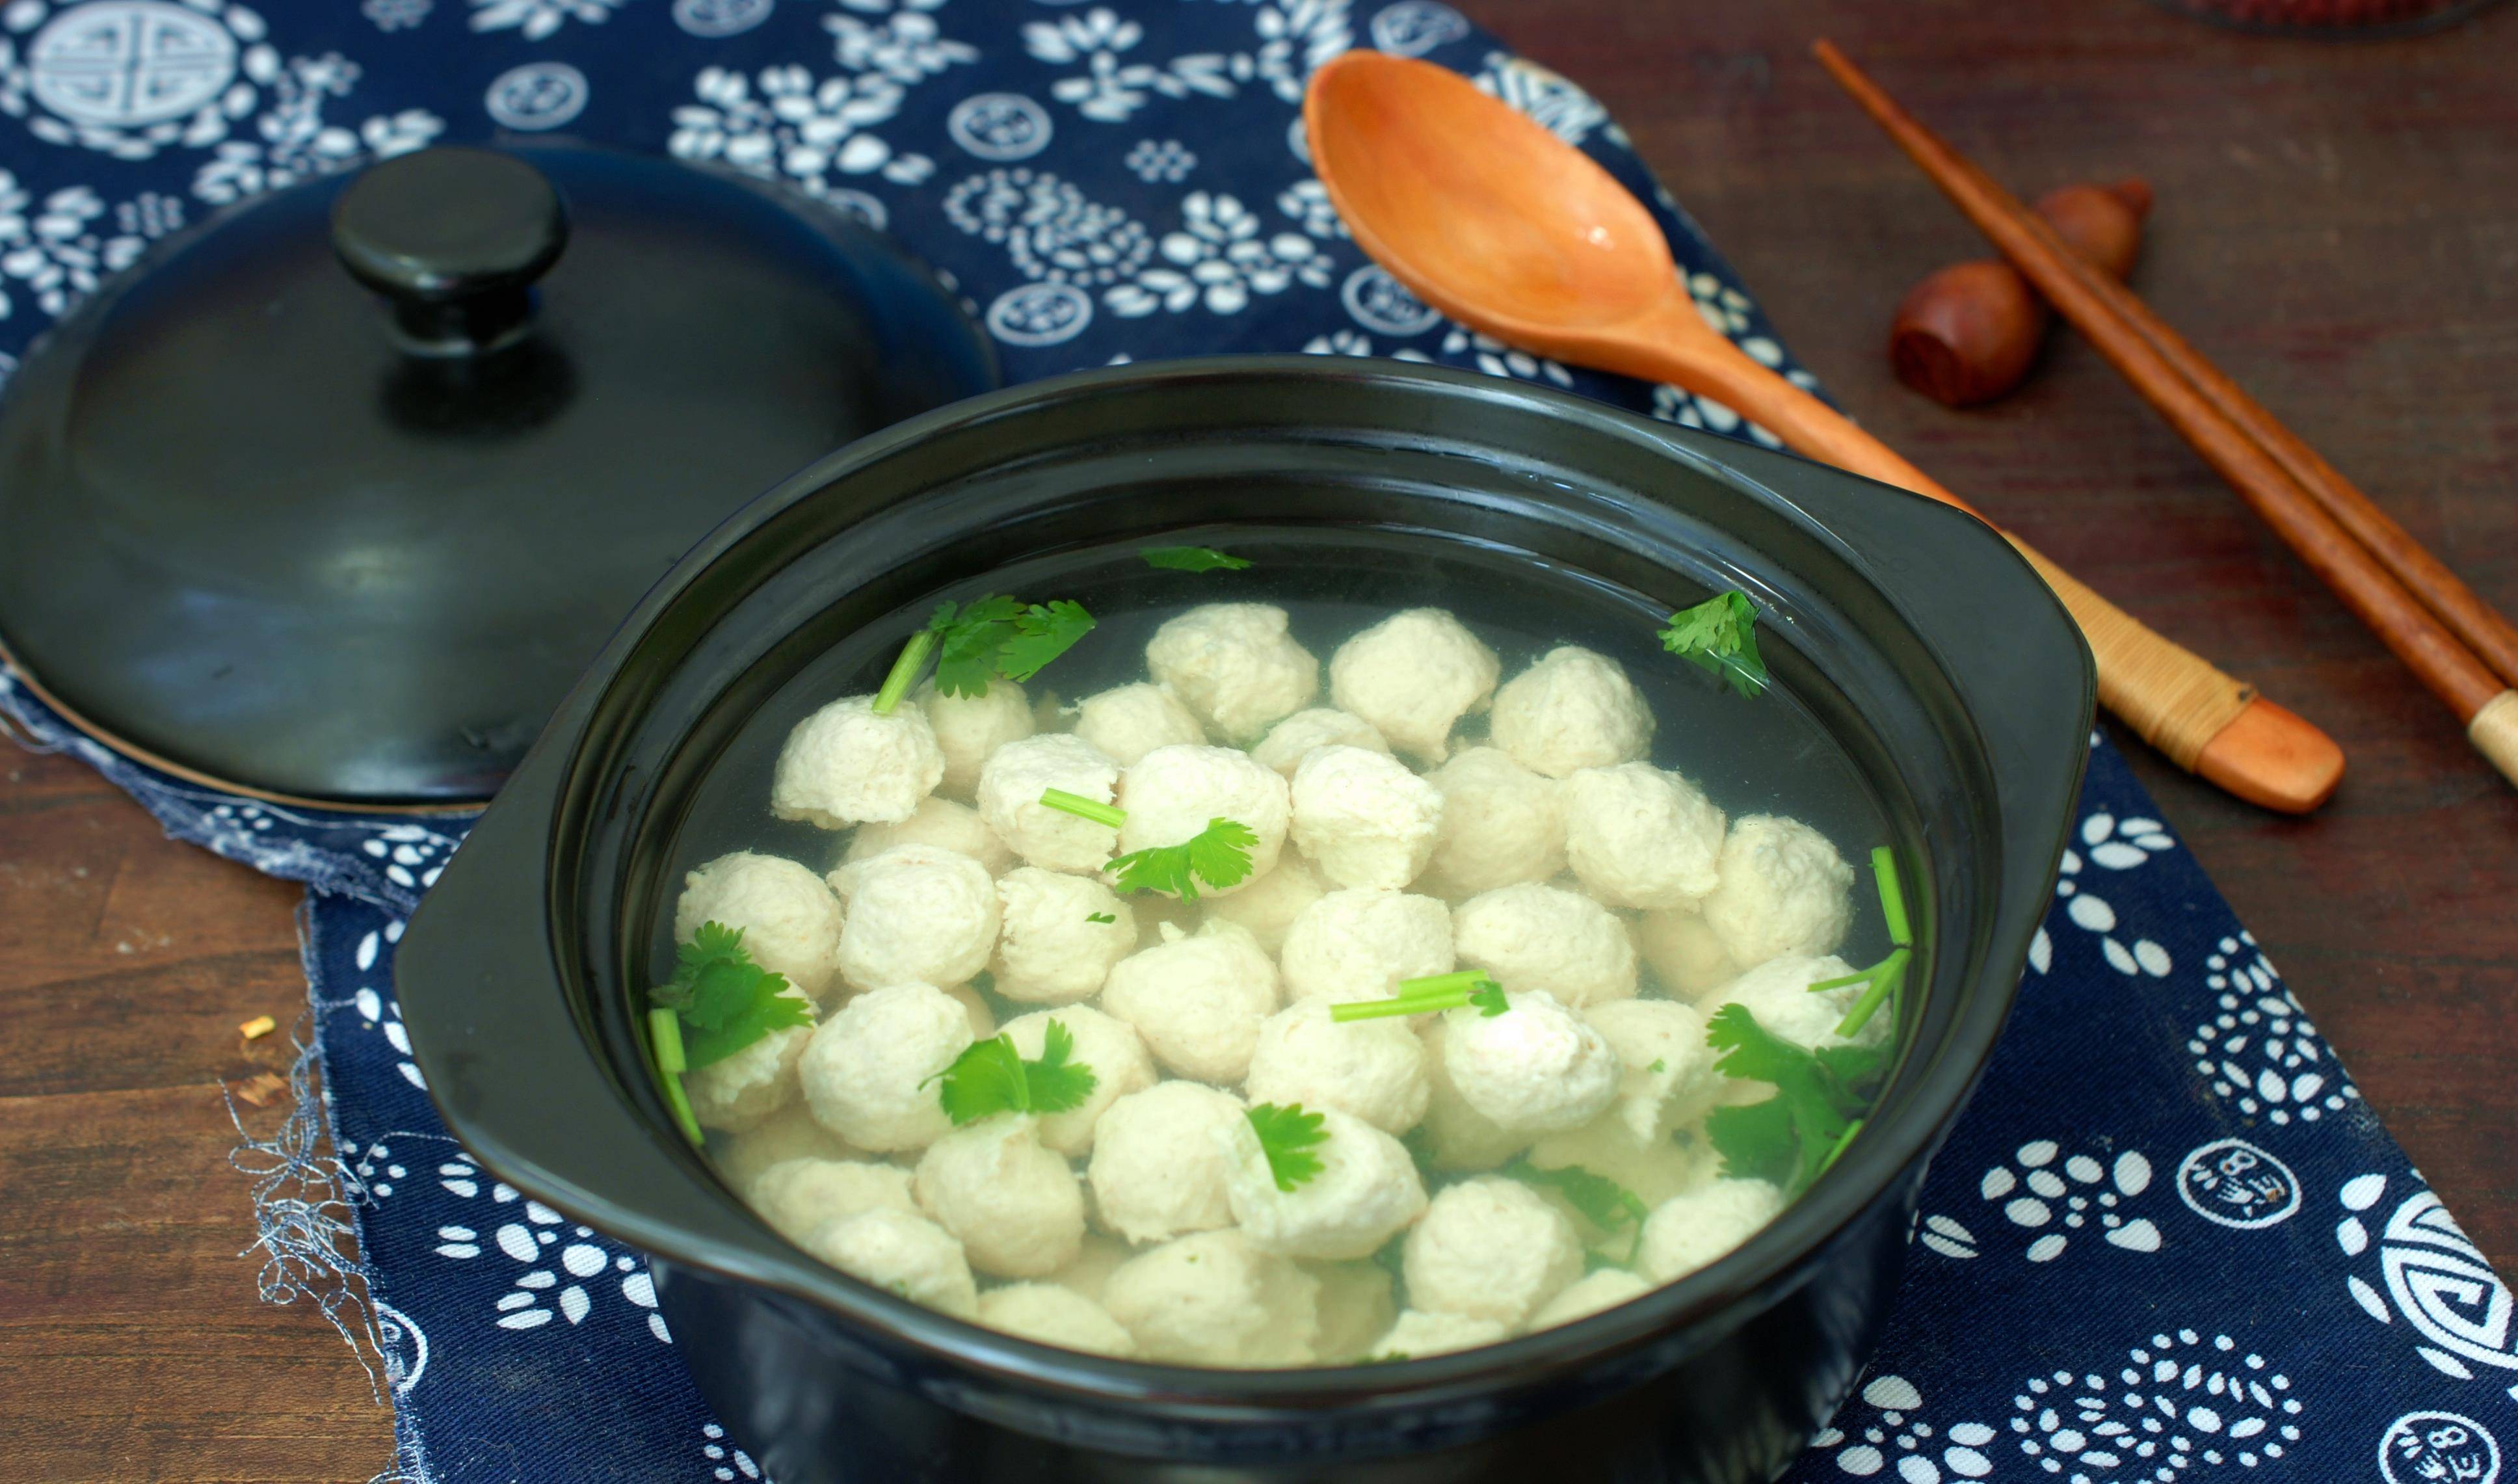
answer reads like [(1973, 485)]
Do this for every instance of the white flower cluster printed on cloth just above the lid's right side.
[(797, 127)]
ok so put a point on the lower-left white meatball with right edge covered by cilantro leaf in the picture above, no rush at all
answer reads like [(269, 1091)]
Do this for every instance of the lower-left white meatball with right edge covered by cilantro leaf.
[(870, 1067)]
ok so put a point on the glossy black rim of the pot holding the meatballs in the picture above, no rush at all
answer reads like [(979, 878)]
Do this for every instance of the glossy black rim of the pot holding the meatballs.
[(1930, 1082)]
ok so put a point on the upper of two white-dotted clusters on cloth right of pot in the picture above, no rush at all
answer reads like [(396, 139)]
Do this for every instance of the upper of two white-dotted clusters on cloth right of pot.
[(2260, 1049)]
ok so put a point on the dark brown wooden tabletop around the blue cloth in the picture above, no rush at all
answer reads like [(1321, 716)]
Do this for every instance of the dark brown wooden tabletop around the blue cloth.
[(2338, 228)]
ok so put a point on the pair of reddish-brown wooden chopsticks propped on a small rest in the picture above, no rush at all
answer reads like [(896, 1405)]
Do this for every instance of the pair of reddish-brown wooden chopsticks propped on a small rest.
[(2378, 596)]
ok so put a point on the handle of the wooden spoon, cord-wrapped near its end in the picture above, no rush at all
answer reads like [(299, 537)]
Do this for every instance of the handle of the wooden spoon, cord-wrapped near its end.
[(2174, 699)]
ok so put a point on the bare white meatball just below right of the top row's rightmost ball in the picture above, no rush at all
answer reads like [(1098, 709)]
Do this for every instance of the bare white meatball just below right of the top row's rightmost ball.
[(1640, 835)]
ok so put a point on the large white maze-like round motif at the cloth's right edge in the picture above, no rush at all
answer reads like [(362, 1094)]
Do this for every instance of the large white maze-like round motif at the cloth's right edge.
[(2429, 1274)]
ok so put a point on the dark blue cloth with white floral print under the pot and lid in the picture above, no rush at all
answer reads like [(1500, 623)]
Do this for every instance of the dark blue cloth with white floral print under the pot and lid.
[(2167, 1241)]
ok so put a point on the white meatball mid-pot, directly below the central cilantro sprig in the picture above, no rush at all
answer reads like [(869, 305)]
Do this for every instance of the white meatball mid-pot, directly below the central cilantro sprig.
[(1197, 999)]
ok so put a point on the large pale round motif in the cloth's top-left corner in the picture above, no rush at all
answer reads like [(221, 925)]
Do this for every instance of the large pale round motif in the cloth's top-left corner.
[(127, 64)]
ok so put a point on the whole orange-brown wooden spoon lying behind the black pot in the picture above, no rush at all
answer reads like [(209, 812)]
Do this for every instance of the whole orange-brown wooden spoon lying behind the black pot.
[(1515, 233)]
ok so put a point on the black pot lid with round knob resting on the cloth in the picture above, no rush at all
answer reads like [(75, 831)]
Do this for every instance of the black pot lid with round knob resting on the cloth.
[(336, 495)]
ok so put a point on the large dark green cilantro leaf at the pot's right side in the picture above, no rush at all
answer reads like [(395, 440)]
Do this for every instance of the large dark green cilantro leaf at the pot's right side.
[(1819, 1100)]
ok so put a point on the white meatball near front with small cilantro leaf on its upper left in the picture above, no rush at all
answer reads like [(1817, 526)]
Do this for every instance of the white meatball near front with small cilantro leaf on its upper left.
[(1363, 1193)]
